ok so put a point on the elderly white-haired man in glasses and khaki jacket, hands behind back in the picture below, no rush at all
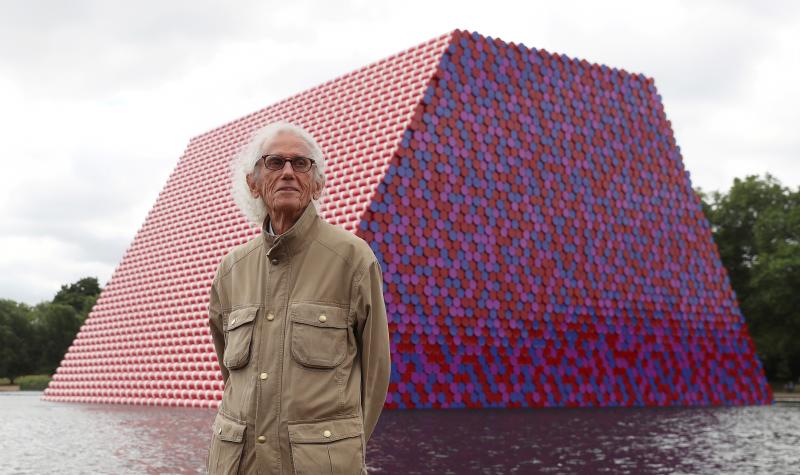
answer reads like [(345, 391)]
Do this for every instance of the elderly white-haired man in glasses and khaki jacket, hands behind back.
[(298, 322)]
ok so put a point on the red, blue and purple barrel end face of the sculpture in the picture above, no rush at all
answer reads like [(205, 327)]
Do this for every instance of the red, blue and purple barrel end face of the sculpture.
[(542, 245)]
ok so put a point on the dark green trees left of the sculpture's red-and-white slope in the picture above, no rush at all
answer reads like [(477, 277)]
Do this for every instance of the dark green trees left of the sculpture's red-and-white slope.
[(34, 339)]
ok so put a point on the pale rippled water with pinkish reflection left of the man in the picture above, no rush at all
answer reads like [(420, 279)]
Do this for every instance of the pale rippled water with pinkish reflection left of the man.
[(45, 437)]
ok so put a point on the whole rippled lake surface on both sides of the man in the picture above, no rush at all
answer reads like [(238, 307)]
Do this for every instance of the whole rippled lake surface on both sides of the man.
[(45, 437)]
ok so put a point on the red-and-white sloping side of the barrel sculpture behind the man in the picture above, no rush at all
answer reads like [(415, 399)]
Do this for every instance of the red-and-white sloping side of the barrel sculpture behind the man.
[(147, 339)]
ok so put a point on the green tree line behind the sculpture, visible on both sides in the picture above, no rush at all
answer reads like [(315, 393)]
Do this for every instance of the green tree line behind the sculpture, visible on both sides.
[(755, 224)]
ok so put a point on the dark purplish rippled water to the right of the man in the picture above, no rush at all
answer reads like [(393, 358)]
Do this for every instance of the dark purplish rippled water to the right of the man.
[(618, 440)]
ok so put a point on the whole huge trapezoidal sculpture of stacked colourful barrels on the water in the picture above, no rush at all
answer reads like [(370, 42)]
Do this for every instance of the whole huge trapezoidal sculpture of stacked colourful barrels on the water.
[(539, 236)]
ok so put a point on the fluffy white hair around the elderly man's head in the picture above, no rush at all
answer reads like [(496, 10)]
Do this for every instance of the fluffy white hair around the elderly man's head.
[(245, 162)]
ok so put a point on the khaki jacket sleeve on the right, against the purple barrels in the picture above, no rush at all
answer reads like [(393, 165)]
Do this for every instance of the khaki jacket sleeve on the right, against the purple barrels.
[(373, 339)]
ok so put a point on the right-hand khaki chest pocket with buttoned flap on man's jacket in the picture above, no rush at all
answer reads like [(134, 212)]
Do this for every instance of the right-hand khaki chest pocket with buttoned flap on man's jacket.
[(319, 335)]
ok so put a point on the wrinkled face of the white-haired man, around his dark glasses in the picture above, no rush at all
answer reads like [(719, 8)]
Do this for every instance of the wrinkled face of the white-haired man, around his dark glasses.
[(284, 192)]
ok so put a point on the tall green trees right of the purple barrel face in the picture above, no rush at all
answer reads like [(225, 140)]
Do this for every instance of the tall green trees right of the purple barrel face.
[(756, 226)]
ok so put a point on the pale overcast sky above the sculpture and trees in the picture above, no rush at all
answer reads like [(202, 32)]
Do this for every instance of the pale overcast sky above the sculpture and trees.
[(98, 99)]
